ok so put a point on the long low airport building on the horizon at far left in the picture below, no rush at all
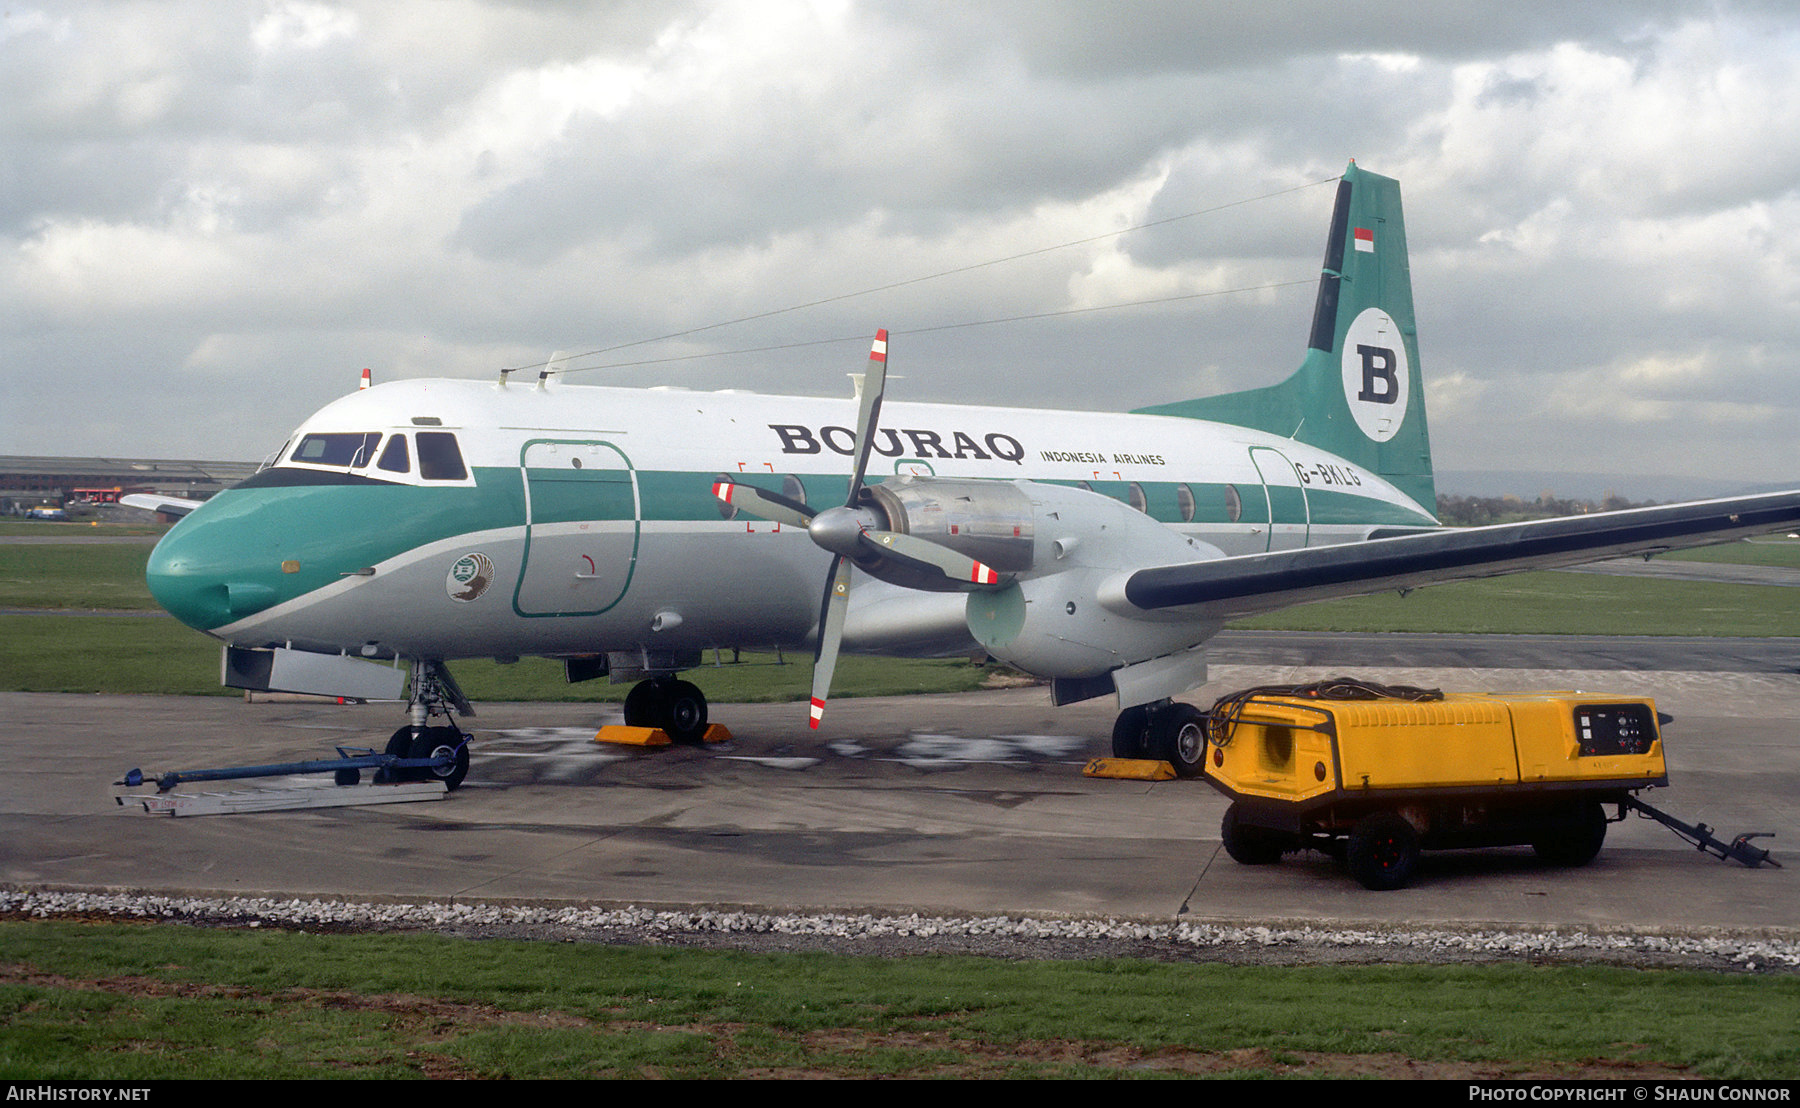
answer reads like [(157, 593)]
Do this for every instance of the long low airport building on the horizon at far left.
[(28, 483)]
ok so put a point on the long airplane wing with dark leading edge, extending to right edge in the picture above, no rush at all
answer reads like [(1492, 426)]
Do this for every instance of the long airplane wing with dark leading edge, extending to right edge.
[(1234, 587)]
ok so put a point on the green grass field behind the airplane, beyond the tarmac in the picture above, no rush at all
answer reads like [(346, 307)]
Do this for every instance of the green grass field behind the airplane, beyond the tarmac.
[(102, 652)]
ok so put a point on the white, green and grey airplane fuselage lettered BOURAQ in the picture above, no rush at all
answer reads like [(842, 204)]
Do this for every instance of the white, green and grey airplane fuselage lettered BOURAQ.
[(474, 519)]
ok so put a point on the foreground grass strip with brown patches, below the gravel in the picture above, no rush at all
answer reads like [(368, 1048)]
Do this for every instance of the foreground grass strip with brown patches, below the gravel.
[(147, 1003)]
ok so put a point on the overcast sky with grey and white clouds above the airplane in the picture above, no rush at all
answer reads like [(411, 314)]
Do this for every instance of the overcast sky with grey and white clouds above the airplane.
[(215, 215)]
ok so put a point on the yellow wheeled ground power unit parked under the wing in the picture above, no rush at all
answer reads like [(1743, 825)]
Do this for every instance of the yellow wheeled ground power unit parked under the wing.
[(1380, 778)]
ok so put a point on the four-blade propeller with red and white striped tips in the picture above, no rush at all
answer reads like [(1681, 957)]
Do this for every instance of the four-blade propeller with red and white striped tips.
[(856, 533)]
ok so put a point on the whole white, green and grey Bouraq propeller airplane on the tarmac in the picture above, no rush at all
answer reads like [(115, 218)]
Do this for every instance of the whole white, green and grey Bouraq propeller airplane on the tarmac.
[(633, 532)]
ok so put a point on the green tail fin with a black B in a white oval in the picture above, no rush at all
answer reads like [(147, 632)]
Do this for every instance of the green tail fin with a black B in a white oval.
[(1358, 393)]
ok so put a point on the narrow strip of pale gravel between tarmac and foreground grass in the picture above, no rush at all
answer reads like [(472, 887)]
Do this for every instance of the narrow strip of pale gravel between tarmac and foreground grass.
[(996, 936)]
